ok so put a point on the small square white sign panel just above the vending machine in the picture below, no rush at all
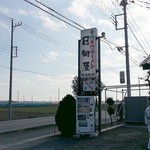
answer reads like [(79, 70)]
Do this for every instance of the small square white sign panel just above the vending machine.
[(88, 84)]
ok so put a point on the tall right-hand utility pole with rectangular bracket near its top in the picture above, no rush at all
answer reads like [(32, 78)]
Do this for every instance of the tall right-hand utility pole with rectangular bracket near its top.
[(124, 4)]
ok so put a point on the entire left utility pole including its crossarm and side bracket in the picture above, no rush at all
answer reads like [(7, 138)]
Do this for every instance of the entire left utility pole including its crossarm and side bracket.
[(11, 65)]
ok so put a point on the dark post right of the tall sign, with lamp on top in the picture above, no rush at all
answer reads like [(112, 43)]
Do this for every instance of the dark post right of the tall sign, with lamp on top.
[(99, 80)]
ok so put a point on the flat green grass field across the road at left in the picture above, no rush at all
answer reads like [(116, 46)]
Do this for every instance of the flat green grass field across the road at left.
[(28, 112)]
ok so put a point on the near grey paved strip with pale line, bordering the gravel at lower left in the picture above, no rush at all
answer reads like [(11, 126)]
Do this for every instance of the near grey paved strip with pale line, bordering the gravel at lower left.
[(26, 139)]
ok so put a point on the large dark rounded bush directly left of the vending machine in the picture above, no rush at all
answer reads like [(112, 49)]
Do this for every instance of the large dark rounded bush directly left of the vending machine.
[(66, 116)]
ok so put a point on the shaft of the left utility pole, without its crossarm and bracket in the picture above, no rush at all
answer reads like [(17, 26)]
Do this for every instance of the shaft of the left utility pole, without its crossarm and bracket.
[(11, 68)]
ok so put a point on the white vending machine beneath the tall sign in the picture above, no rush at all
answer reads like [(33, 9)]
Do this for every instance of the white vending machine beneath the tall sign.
[(85, 115)]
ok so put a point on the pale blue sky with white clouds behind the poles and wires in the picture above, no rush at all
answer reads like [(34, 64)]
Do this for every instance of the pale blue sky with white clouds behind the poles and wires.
[(48, 64)]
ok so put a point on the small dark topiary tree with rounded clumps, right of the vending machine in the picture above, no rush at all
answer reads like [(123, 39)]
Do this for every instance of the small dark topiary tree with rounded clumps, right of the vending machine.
[(110, 108)]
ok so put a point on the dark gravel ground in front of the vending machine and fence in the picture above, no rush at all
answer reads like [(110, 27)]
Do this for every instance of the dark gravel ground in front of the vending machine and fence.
[(122, 138)]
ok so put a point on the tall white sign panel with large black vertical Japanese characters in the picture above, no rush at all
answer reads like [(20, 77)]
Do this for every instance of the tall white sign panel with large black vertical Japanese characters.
[(88, 53)]
